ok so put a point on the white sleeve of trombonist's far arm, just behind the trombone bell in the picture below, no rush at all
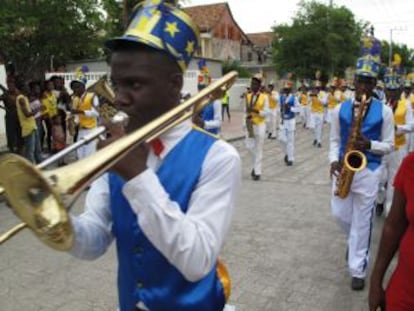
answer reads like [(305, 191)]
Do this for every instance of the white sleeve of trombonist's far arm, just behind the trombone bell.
[(92, 228)]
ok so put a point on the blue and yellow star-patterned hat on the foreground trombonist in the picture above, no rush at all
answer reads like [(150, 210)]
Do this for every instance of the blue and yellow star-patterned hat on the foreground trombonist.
[(160, 25)]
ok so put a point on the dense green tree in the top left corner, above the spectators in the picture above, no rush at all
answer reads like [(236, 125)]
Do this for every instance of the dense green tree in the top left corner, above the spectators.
[(35, 33)]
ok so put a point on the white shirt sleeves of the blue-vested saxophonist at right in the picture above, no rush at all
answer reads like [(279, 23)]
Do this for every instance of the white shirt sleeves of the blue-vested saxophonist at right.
[(380, 147)]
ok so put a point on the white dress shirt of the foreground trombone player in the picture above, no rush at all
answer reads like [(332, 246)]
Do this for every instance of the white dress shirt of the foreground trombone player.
[(190, 241)]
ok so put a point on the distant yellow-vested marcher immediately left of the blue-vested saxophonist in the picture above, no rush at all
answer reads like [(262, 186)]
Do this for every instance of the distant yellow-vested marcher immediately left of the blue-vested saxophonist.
[(318, 100)]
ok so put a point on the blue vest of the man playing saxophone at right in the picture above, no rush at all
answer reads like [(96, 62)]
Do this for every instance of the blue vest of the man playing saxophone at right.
[(371, 128)]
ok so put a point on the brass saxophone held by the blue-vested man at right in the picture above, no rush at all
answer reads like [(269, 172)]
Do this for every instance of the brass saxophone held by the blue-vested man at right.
[(354, 160)]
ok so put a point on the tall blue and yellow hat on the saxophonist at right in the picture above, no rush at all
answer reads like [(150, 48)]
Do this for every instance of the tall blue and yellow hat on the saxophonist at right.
[(368, 64)]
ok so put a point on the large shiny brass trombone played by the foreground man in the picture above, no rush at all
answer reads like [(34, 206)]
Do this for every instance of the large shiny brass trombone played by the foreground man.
[(41, 198)]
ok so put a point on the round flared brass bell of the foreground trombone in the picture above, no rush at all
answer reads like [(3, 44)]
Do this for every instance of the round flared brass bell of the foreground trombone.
[(36, 202)]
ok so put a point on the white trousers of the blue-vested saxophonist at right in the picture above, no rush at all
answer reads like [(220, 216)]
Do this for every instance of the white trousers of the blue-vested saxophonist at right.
[(354, 216)]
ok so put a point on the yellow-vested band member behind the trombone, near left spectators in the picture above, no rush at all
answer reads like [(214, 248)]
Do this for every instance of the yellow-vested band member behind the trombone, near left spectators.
[(85, 106)]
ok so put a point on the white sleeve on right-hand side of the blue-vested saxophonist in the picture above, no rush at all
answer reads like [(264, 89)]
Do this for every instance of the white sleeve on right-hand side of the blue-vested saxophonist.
[(386, 144)]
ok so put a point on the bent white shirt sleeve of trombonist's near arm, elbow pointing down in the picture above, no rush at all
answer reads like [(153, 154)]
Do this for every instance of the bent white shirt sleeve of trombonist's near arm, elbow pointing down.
[(190, 241)]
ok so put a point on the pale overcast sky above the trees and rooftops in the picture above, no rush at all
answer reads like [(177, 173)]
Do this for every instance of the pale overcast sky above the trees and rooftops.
[(261, 15)]
